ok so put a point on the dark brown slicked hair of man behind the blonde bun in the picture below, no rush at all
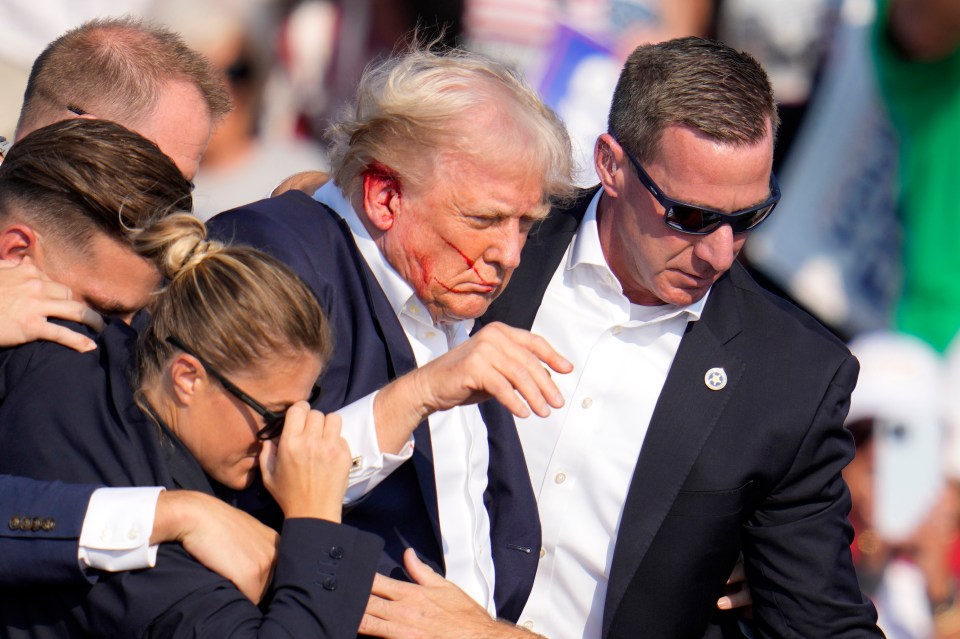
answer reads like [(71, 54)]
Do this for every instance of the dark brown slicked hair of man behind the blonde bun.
[(80, 176)]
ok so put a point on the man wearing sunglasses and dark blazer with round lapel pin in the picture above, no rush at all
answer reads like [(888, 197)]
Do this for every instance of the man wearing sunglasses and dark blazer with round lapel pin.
[(704, 417)]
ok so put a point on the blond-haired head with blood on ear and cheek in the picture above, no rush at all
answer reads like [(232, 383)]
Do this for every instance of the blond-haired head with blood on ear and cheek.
[(449, 158)]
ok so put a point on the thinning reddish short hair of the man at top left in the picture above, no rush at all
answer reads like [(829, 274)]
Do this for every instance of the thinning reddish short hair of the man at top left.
[(114, 68)]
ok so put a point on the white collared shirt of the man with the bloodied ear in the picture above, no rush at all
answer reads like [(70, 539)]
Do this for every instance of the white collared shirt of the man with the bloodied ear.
[(459, 436)]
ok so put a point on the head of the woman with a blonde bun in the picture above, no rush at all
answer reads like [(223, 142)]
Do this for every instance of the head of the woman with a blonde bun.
[(232, 330)]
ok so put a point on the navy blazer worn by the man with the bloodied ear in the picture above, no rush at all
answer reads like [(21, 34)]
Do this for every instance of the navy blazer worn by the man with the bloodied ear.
[(370, 350)]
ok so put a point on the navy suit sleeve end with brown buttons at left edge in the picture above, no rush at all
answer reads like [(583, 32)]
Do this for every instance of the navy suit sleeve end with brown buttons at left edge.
[(45, 553)]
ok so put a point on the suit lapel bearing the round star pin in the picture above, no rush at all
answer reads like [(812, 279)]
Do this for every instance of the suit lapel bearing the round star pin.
[(683, 419)]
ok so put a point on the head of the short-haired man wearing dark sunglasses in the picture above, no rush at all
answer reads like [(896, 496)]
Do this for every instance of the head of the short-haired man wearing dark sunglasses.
[(695, 121)]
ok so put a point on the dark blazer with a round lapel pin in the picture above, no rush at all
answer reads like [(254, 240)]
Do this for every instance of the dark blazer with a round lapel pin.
[(753, 468)]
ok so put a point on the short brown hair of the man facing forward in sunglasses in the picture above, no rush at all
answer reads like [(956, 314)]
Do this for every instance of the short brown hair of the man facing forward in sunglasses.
[(706, 85)]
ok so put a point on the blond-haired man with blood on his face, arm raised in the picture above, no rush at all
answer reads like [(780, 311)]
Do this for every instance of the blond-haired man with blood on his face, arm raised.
[(440, 169)]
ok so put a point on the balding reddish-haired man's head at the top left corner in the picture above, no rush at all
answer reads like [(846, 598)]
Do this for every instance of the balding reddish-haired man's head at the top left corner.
[(141, 76)]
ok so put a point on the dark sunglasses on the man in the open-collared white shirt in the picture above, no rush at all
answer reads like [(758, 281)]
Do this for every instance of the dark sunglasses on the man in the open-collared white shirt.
[(700, 220)]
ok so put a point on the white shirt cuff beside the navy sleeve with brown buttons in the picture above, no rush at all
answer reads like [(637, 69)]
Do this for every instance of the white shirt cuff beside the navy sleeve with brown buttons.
[(117, 527)]
